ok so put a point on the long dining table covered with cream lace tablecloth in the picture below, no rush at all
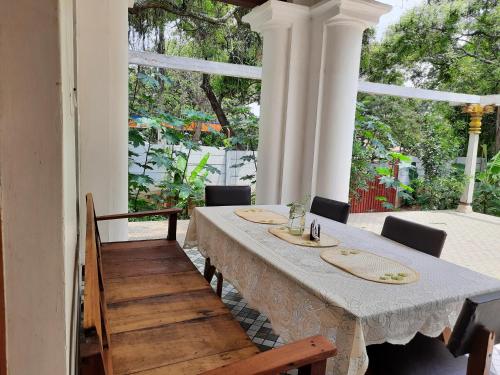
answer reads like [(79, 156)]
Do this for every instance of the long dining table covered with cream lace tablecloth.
[(302, 295)]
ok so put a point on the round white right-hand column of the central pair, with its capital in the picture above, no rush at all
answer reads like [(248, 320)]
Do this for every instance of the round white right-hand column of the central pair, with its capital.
[(343, 26)]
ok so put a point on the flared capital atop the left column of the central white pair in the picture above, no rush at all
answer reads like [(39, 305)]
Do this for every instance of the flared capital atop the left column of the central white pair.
[(275, 14)]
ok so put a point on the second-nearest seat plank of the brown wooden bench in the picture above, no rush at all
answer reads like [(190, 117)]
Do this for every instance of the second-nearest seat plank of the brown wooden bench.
[(156, 311)]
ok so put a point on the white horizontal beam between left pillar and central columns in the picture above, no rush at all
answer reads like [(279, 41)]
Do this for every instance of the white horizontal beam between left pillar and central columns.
[(194, 65)]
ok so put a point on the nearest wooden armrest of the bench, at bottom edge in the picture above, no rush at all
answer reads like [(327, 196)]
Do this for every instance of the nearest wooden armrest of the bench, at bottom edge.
[(309, 354)]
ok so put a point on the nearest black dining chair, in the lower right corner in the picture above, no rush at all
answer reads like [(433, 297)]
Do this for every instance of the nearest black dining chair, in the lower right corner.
[(476, 331)]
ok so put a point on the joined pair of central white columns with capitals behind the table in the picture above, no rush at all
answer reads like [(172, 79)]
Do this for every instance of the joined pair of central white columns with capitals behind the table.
[(309, 87)]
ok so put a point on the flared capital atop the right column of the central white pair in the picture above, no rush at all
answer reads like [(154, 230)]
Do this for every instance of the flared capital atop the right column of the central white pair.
[(363, 13)]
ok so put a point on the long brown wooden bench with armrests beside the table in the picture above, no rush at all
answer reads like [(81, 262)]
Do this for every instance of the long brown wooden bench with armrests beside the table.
[(148, 311)]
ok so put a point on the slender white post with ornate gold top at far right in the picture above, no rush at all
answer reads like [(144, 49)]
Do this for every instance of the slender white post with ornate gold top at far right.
[(476, 112)]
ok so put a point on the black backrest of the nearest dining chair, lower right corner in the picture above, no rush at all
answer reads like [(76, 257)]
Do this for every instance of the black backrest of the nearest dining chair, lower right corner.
[(479, 314)]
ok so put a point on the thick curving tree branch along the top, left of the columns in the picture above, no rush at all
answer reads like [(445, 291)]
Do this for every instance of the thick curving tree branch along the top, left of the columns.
[(169, 6)]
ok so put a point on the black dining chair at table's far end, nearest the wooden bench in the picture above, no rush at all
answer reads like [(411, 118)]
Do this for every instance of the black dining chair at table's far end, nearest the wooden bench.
[(220, 195)]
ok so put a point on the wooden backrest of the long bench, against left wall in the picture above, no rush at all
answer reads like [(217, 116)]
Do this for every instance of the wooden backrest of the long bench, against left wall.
[(94, 350)]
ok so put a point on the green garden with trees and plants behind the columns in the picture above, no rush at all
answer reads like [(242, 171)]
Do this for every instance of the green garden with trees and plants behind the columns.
[(180, 121)]
